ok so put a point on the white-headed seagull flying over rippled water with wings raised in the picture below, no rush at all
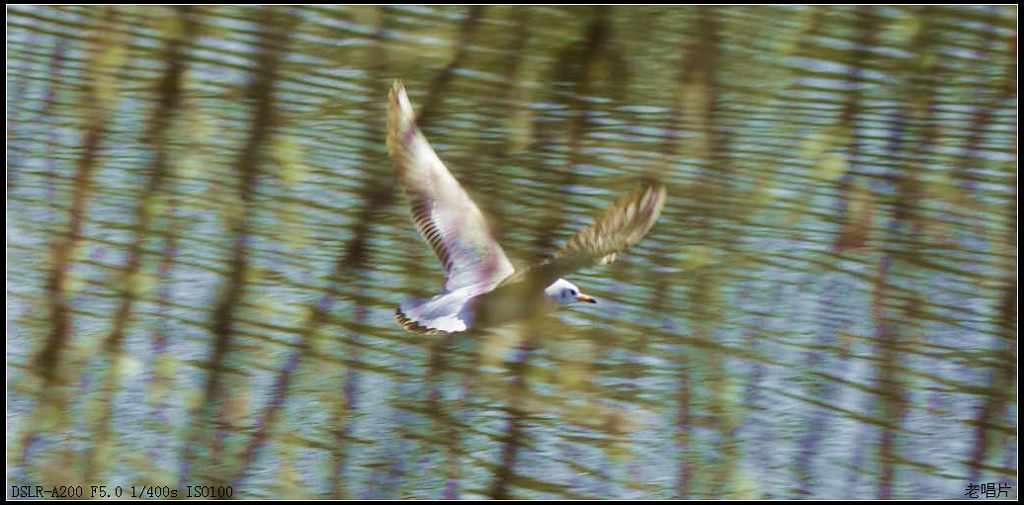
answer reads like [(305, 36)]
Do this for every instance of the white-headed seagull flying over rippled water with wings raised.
[(483, 289)]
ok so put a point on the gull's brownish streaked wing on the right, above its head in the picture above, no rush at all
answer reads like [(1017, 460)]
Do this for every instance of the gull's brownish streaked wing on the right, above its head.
[(621, 227)]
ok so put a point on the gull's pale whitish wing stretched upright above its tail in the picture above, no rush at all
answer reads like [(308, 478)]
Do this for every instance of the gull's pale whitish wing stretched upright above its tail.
[(443, 213)]
